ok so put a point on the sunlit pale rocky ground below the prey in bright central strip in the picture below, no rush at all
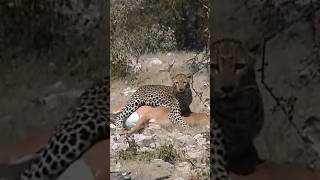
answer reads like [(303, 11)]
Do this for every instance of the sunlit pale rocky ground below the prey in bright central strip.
[(157, 153)]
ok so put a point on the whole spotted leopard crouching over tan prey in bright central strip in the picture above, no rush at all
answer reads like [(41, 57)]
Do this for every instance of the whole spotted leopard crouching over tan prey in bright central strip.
[(177, 98)]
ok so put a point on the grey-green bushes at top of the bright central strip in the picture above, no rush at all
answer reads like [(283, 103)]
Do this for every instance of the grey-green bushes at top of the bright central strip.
[(150, 26)]
